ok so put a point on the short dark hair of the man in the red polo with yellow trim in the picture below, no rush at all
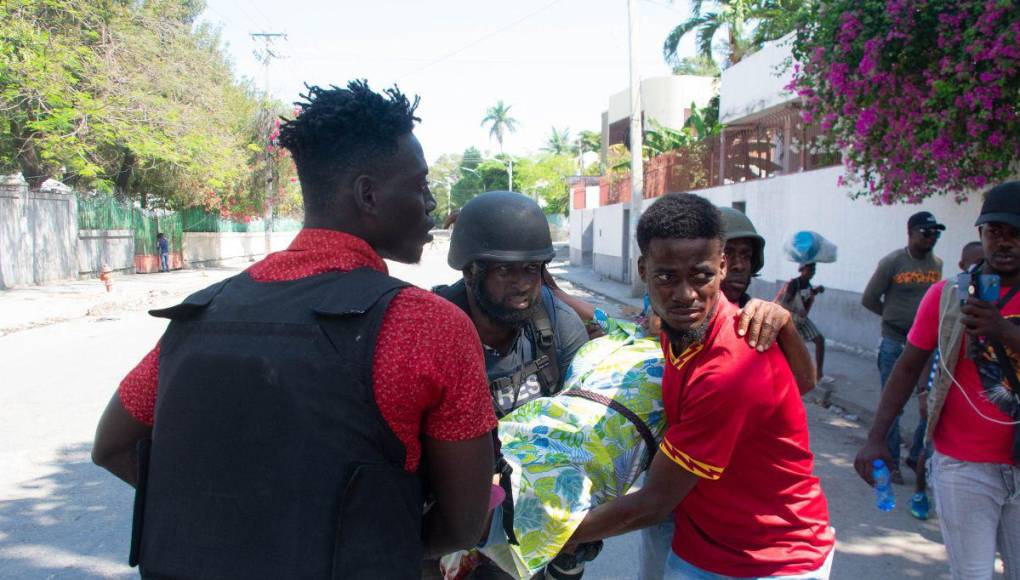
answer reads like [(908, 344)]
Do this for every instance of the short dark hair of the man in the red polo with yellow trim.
[(683, 217)]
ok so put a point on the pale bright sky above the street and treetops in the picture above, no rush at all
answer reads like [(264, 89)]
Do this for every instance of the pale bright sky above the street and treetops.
[(556, 63)]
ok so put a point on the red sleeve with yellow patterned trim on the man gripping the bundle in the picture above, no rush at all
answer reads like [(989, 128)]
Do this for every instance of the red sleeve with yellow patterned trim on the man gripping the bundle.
[(718, 408)]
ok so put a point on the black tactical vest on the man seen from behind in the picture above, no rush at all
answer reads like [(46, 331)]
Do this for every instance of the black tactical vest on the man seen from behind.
[(270, 458)]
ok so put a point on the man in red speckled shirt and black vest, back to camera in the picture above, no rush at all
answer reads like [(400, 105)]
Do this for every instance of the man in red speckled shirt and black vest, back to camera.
[(290, 418)]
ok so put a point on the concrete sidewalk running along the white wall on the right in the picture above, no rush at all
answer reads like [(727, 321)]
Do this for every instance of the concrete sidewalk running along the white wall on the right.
[(854, 396)]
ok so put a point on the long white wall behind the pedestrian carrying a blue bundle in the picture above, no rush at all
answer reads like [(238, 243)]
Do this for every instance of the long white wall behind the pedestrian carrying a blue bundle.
[(862, 232)]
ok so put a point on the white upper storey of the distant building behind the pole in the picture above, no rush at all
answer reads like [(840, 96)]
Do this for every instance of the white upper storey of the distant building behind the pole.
[(665, 99)]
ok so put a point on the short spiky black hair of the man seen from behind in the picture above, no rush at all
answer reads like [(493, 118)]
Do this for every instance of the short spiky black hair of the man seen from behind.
[(340, 132)]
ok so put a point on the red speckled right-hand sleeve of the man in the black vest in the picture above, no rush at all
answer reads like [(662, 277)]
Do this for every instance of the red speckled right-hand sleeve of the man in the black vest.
[(430, 374)]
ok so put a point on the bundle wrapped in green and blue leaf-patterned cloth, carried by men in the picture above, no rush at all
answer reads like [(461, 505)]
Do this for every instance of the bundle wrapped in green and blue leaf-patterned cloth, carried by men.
[(570, 454)]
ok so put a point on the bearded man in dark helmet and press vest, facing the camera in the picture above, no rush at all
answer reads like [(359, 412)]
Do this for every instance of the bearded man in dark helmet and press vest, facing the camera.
[(501, 245)]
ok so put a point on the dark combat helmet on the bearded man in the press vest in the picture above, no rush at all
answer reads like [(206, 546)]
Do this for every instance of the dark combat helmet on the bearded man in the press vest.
[(500, 227)]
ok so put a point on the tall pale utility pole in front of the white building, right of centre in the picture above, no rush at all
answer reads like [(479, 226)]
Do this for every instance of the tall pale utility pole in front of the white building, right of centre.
[(637, 168)]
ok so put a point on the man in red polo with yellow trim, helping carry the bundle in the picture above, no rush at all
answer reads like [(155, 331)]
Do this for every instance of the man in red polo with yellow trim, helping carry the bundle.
[(735, 465)]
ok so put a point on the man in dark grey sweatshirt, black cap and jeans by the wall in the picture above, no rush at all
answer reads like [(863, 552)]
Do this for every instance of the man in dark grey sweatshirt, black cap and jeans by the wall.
[(894, 293)]
